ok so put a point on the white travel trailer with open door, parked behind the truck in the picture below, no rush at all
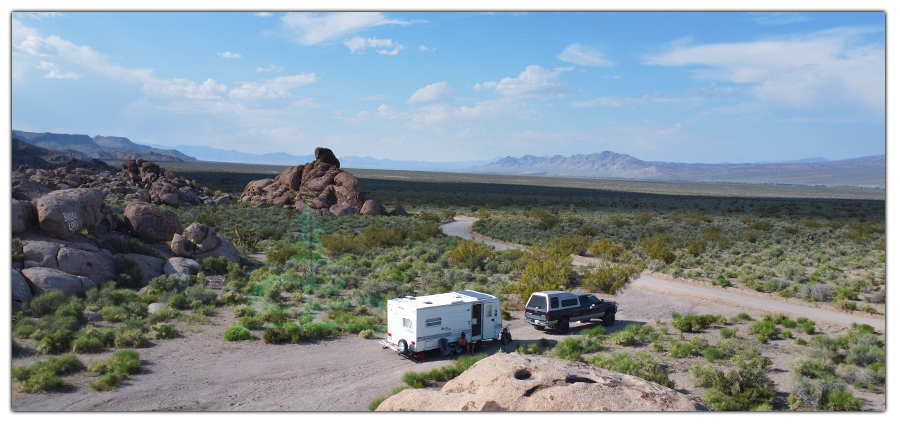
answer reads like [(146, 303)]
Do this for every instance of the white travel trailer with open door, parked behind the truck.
[(416, 324)]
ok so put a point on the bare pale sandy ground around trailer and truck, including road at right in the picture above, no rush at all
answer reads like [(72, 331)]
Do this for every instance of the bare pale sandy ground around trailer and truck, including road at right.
[(202, 372)]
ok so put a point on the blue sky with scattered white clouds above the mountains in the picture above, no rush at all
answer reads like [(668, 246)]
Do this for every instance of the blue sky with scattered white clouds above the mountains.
[(681, 87)]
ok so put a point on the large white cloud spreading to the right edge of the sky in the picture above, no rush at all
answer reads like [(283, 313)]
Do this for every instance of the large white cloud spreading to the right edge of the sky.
[(829, 68)]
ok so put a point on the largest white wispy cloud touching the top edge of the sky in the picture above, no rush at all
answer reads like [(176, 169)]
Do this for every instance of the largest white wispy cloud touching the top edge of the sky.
[(313, 28)]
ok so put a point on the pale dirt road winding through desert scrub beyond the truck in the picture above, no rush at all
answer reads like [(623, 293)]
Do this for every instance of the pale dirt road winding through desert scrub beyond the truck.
[(752, 302)]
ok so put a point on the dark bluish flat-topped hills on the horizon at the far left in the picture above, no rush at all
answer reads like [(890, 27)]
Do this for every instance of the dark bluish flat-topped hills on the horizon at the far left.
[(100, 147)]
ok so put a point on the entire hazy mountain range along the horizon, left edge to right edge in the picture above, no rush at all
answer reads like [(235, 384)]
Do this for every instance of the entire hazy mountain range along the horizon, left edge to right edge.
[(857, 172)]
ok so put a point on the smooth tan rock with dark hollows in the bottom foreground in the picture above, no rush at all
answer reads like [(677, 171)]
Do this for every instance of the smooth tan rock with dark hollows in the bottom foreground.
[(513, 382)]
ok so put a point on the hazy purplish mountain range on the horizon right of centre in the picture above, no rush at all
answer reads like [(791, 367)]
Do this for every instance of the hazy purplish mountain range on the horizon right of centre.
[(858, 172)]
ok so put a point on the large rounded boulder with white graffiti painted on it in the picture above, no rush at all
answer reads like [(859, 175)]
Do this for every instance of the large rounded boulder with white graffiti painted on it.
[(63, 213)]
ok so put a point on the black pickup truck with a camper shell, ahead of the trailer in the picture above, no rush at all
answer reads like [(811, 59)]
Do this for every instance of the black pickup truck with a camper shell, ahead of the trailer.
[(556, 309)]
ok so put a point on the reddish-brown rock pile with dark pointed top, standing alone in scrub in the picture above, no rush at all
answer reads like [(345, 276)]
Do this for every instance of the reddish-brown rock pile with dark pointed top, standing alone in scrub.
[(321, 186)]
